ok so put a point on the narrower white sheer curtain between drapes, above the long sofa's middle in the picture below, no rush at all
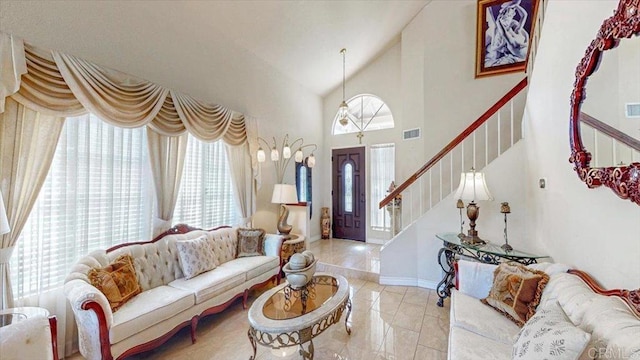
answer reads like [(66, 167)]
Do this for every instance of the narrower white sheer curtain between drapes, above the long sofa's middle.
[(207, 195)]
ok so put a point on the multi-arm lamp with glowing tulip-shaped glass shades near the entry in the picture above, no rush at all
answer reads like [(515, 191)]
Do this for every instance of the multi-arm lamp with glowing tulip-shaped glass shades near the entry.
[(281, 163)]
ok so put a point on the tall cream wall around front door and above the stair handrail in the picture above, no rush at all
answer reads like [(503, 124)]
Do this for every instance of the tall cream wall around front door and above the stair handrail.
[(428, 82)]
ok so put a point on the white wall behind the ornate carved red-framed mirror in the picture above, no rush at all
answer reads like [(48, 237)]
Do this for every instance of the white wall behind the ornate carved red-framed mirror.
[(591, 229)]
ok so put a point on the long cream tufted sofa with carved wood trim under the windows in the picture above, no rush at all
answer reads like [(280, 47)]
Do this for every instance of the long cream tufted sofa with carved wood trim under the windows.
[(168, 302)]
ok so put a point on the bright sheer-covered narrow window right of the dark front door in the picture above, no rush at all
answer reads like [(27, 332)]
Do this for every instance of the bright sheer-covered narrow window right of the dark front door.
[(382, 174)]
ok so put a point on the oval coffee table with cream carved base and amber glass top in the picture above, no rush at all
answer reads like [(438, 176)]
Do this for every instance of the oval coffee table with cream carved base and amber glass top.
[(284, 317)]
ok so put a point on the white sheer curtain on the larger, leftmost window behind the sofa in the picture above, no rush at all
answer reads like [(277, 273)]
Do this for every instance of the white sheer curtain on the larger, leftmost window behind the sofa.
[(98, 193)]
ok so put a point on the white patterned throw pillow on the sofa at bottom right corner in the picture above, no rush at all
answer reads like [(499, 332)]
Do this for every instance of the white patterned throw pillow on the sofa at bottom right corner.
[(549, 334)]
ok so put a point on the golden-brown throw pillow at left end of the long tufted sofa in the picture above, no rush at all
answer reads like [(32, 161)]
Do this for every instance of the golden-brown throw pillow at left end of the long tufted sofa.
[(117, 281)]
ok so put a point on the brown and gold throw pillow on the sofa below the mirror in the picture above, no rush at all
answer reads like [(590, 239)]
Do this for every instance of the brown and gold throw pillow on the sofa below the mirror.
[(516, 291)]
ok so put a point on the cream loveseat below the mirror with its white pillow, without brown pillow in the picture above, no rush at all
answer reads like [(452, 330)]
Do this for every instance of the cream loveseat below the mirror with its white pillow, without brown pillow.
[(575, 319)]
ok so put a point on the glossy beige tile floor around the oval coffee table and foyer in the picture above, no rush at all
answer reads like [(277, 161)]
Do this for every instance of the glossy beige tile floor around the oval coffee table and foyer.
[(388, 322)]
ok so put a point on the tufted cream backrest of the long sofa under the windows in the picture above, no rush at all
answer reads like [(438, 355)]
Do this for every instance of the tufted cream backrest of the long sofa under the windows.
[(158, 263)]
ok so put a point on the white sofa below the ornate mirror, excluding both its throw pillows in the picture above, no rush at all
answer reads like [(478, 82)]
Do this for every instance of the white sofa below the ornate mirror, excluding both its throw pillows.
[(477, 331)]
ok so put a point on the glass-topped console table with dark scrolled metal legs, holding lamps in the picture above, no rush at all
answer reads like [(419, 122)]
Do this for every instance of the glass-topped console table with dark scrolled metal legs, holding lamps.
[(487, 253)]
